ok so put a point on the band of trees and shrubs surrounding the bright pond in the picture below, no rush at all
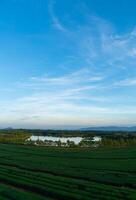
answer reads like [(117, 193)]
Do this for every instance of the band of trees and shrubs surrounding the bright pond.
[(109, 139)]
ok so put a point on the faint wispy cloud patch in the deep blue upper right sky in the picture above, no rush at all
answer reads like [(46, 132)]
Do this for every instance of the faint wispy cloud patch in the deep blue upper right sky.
[(104, 49)]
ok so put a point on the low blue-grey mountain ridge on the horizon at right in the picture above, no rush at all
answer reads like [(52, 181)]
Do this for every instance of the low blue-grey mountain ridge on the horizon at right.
[(110, 128)]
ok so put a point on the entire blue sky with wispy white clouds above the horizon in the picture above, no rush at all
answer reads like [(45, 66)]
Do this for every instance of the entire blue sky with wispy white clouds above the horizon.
[(67, 64)]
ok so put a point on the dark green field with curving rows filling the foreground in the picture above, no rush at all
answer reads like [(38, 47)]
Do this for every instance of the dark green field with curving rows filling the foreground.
[(39, 173)]
